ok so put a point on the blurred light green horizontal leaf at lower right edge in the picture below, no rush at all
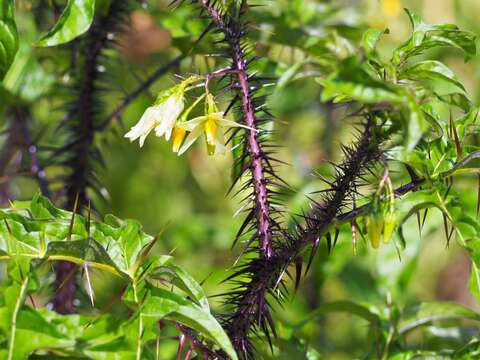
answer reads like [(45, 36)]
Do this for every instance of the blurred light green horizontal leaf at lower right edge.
[(429, 312)]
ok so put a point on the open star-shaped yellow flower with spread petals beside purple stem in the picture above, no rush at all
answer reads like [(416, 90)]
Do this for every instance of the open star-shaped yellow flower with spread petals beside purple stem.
[(212, 125)]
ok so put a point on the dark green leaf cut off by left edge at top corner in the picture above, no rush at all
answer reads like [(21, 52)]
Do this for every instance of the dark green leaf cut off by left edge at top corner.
[(8, 36)]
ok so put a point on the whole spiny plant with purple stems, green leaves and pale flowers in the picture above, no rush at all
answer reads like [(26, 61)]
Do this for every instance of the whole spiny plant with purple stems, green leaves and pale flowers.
[(412, 118)]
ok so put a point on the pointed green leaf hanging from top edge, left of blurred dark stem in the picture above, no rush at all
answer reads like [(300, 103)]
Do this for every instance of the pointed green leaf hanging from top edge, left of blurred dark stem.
[(75, 20)]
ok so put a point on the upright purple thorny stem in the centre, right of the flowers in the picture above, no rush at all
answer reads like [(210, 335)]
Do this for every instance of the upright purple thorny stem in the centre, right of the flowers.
[(260, 191)]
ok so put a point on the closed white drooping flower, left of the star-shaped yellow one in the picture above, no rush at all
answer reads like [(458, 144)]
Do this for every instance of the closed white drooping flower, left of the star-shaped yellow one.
[(163, 115)]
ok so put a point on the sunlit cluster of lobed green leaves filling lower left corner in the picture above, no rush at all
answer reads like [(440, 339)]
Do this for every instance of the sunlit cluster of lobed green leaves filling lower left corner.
[(154, 289)]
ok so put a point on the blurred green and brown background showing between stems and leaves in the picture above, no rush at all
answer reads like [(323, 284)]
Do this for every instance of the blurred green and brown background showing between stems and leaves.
[(183, 199)]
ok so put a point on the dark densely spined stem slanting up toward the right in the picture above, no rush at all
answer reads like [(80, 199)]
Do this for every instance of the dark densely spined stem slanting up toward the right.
[(252, 309)]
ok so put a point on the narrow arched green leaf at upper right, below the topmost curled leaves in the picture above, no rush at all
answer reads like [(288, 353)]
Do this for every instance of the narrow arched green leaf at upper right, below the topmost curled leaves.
[(429, 70)]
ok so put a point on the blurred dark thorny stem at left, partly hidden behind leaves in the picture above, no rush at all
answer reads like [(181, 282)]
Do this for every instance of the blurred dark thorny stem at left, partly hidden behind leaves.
[(80, 177)]
